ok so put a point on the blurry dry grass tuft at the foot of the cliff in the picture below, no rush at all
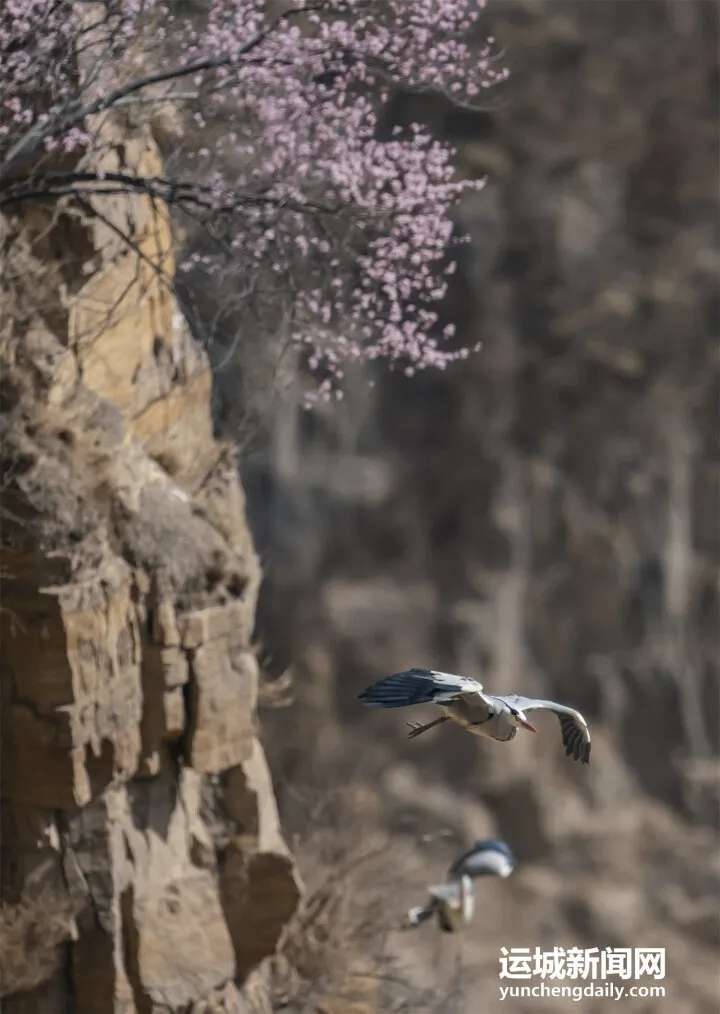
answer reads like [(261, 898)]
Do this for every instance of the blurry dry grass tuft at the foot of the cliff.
[(336, 956)]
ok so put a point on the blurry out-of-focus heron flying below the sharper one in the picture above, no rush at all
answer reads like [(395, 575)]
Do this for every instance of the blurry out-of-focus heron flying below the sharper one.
[(454, 902)]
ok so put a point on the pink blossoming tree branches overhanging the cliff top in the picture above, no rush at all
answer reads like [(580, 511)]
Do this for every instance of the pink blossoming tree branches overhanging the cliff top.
[(281, 160)]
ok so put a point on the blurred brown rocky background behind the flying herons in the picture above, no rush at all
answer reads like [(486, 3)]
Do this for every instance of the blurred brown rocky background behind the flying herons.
[(544, 518)]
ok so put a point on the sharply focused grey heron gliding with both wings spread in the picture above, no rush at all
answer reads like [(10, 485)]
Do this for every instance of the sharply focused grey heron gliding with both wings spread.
[(464, 701)]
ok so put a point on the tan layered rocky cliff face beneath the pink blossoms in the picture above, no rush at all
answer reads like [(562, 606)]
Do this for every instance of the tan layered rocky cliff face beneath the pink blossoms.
[(145, 870)]
